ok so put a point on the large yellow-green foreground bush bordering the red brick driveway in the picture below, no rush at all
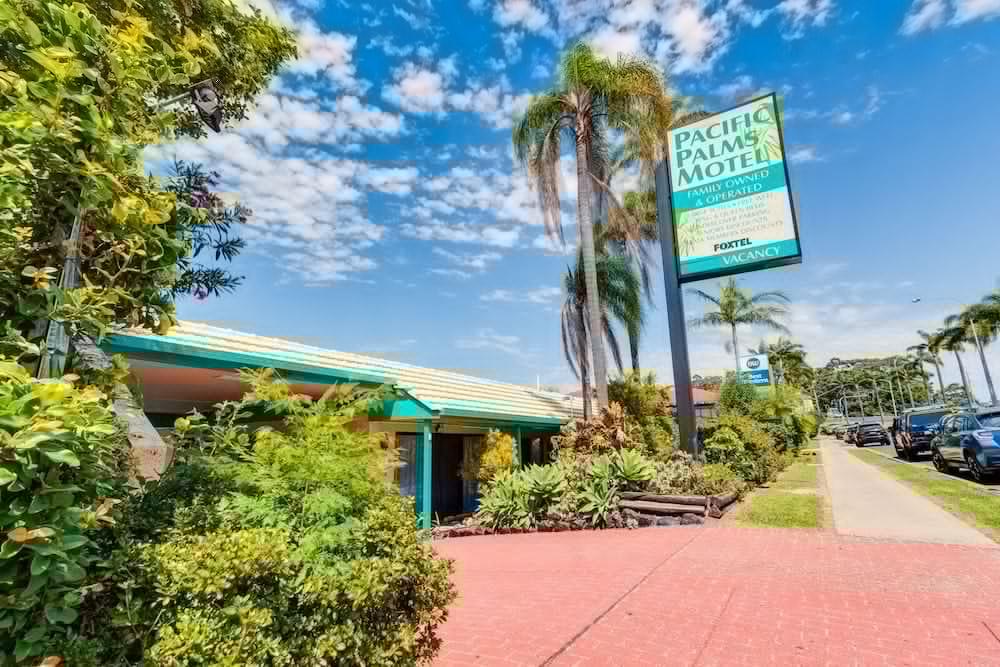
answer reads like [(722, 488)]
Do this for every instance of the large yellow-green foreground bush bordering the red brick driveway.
[(277, 548)]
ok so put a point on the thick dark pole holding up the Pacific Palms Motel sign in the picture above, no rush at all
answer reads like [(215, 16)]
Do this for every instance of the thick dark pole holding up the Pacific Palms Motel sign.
[(675, 313)]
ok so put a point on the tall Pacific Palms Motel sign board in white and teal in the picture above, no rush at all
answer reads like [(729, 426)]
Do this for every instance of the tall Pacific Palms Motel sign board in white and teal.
[(731, 203)]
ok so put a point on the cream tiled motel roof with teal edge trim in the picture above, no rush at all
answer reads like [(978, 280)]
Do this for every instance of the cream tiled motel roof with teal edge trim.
[(445, 393)]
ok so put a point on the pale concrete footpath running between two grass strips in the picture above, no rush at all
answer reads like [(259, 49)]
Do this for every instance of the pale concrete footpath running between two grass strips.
[(868, 503)]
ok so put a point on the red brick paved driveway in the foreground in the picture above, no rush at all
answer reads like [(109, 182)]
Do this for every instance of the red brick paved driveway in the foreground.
[(719, 596)]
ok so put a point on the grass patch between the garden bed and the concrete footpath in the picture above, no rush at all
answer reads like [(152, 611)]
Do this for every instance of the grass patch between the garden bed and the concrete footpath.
[(790, 502)]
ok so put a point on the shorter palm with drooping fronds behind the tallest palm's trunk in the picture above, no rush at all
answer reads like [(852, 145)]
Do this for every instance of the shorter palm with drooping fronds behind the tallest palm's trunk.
[(620, 293)]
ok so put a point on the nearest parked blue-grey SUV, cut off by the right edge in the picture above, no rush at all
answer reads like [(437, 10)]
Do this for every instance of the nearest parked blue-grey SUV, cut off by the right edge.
[(969, 440)]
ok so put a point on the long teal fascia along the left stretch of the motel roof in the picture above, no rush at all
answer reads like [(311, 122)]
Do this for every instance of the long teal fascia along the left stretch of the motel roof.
[(189, 354)]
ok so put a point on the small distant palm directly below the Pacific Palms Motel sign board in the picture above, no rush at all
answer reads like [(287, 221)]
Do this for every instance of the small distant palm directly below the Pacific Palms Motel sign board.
[(736, 306)]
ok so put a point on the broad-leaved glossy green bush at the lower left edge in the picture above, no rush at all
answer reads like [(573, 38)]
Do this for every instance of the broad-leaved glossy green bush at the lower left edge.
[(64, 462)]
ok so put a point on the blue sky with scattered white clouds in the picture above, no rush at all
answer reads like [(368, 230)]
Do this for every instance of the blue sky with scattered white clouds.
[(391, 219)]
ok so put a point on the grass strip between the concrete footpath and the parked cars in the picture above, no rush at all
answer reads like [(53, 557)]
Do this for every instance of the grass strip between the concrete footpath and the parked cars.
[(959, 497)]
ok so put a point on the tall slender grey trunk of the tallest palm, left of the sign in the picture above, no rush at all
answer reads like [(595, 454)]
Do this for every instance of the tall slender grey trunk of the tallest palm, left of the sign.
[(586, 226)]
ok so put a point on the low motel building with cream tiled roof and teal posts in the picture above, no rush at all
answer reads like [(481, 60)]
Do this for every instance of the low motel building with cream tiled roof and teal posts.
[(433, 417)]
